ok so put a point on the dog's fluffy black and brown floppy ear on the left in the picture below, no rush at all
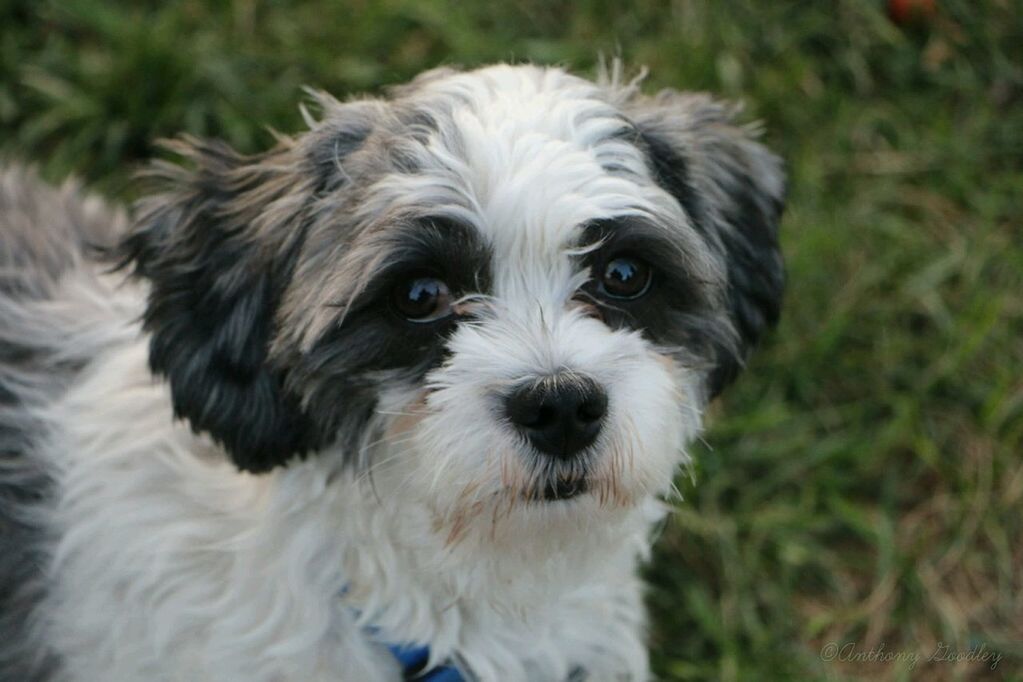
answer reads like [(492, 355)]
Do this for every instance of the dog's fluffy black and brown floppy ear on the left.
[(218, 247)]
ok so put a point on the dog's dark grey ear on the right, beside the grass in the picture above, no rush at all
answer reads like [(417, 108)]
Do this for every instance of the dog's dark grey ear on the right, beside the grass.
[(733, 190)]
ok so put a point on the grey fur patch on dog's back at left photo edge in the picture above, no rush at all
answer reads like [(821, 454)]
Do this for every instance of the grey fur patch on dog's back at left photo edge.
[(45, 234)]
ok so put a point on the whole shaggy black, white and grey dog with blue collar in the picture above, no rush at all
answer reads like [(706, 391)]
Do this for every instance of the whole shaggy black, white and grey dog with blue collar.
[(403, 397)]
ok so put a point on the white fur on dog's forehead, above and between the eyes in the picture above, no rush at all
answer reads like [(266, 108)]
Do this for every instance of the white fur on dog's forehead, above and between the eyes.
[(535, 153)]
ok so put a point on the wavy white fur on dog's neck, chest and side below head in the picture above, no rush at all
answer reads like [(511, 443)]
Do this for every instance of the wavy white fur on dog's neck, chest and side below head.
[(293, 566)]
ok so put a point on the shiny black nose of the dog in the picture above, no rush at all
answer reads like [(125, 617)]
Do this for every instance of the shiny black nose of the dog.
[(560, 416)]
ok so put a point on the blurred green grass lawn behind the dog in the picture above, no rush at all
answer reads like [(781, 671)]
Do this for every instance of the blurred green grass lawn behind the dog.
[(862, 486)]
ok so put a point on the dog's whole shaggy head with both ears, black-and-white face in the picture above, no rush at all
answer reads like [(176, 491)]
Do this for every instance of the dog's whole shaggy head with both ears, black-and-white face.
[(509, 287)]
